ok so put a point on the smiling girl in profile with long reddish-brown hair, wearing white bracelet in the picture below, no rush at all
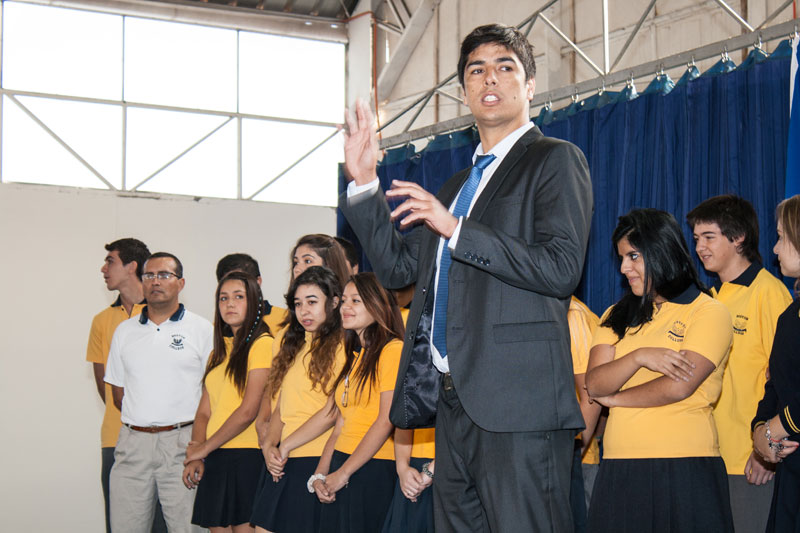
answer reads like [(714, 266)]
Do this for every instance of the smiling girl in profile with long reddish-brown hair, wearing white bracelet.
[(355, 476)]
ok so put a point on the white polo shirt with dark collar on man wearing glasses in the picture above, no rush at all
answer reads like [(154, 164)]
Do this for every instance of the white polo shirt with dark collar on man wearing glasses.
[(160, 366)]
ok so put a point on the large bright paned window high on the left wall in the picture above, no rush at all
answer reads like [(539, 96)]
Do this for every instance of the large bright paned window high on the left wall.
[(168, 107)]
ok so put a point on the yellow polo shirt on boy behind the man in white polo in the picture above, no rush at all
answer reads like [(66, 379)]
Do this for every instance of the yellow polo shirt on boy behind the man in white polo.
[(104, 325)]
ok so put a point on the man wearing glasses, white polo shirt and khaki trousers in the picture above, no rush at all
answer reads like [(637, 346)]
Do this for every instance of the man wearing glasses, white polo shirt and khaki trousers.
[(156, 366)]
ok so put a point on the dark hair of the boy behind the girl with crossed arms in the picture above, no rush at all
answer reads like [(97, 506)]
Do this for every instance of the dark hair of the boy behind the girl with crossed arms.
[(735, 217)]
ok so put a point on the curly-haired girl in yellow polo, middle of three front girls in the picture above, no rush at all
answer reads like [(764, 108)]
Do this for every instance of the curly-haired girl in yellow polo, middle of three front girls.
[(310, 354)]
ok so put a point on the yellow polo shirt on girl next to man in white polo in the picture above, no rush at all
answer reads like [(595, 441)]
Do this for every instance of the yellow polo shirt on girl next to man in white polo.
[(224, 396)]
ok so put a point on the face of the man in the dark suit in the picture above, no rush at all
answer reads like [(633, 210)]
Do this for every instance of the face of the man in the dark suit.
[(495, 88)]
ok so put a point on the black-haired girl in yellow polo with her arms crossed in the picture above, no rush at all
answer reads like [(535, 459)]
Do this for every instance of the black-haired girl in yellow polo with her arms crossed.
[(657, 362)]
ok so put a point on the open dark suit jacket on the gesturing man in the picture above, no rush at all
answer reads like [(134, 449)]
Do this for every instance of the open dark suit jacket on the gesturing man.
[(518, 259)]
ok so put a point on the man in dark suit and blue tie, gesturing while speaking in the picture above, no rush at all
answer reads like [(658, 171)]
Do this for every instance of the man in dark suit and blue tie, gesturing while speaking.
[(486, 351)]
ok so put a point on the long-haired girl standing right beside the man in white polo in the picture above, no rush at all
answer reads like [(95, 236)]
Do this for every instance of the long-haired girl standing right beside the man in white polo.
[(223, 459)]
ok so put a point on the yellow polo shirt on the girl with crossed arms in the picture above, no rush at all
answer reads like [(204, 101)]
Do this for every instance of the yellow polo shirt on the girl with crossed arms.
[(692, 321)]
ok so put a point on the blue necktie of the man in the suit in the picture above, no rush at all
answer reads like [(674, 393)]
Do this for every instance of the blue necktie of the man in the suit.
[(462, 207)]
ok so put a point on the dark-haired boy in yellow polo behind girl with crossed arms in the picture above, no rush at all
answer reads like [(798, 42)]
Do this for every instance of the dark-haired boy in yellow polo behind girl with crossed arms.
[(725, 231)]
